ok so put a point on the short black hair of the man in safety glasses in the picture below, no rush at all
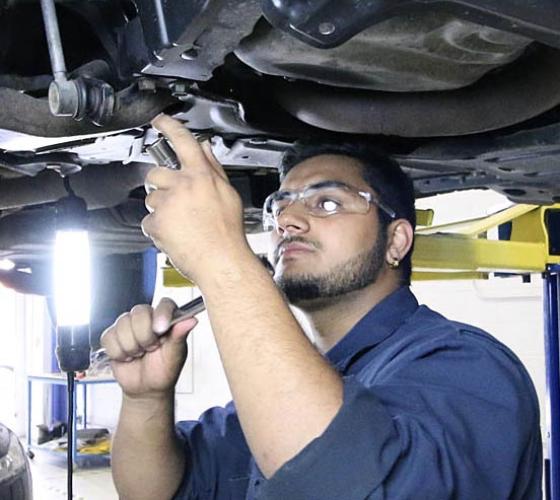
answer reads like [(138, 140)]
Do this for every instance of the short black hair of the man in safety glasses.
[(383, 174)]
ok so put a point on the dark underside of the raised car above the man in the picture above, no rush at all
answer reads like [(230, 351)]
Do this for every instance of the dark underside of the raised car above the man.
[(462, 93)]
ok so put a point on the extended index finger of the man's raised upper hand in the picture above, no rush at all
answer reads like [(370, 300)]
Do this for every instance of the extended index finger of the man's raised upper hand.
[(188, 149)]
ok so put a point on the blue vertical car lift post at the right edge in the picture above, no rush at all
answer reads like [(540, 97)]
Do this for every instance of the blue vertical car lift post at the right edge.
[(552, 360)]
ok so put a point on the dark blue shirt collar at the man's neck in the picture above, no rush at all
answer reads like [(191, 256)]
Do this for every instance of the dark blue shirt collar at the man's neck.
[(380, 322)]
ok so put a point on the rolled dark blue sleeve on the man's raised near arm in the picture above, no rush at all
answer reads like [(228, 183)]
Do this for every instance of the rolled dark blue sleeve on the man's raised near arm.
[(453, 420)]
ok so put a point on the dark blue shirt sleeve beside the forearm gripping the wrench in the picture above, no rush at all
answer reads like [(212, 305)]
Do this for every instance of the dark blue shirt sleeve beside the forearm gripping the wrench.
[(217, 456)]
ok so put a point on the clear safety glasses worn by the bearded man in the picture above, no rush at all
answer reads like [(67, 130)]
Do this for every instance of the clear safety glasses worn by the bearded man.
[(322, 200)]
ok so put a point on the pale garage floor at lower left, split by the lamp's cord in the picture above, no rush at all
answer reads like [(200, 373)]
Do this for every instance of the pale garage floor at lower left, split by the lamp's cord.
[(90, 483)]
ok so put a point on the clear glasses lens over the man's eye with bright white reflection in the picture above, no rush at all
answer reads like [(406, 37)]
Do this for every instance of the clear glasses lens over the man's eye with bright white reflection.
[(328, 200)]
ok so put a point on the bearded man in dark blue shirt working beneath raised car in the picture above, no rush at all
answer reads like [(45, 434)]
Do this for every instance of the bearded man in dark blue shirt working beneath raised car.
[(391, 401)]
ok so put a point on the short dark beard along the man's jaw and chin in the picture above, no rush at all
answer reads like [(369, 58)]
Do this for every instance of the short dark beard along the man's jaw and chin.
[(354, 274)]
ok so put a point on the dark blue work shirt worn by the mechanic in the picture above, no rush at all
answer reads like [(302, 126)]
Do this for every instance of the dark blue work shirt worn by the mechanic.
[(433, 409)]
